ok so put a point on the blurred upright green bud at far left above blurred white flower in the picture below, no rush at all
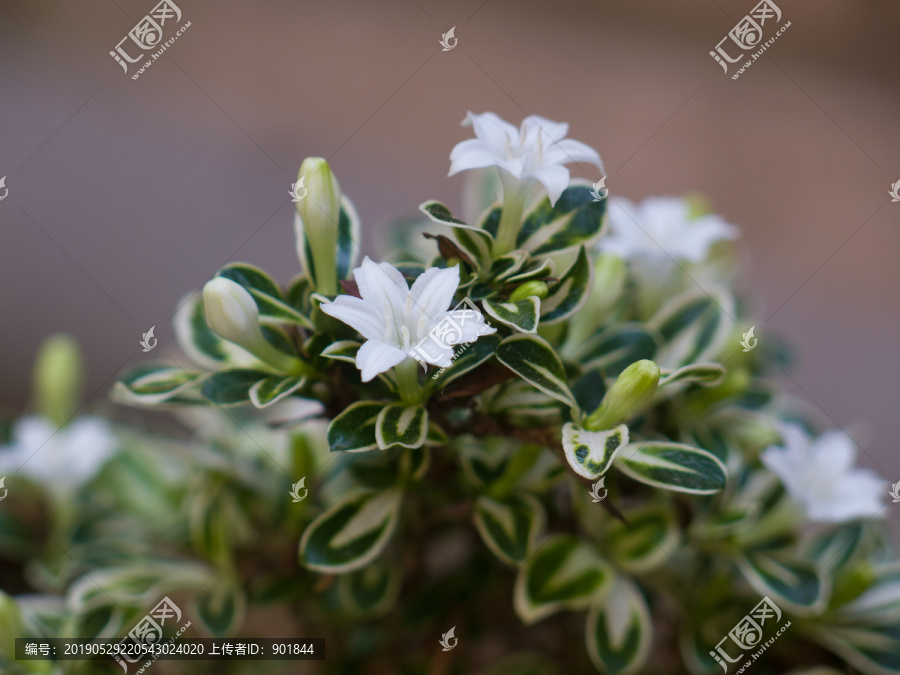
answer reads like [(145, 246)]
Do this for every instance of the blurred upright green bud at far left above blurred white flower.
[(58, 378)]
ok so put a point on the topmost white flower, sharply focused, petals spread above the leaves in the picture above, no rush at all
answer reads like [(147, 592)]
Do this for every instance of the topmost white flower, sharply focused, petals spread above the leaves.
[(536, 151)]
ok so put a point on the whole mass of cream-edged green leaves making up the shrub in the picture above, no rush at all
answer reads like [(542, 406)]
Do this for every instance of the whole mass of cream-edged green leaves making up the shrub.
[(509, 438)]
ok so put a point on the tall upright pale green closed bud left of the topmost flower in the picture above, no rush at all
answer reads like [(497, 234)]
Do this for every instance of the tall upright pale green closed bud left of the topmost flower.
[(318, 214)]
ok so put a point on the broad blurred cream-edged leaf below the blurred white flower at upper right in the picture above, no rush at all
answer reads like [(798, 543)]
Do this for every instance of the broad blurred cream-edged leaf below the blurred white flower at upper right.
[(695, 326)]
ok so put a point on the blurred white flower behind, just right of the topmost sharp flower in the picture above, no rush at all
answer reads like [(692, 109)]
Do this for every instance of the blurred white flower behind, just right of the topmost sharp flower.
[(660, 229)]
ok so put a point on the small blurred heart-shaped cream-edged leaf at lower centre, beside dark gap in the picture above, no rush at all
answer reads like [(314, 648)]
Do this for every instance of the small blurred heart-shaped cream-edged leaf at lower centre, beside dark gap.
[(509, 527)]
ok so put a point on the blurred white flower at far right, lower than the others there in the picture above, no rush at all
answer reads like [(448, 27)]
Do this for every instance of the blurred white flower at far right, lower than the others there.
[(820, 476)]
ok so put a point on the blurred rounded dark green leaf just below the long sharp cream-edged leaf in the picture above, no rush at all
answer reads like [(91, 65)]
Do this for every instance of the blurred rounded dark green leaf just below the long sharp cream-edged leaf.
[(646, 543)]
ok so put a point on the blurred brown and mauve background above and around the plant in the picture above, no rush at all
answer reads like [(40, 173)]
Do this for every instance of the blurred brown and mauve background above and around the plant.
[(125, 194)]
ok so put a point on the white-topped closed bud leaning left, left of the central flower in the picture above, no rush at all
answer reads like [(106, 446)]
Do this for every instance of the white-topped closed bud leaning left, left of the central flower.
[(231, 312)]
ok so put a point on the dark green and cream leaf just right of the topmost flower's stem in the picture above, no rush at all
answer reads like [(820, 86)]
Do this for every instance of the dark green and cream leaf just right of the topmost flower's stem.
[(576, 219)]
